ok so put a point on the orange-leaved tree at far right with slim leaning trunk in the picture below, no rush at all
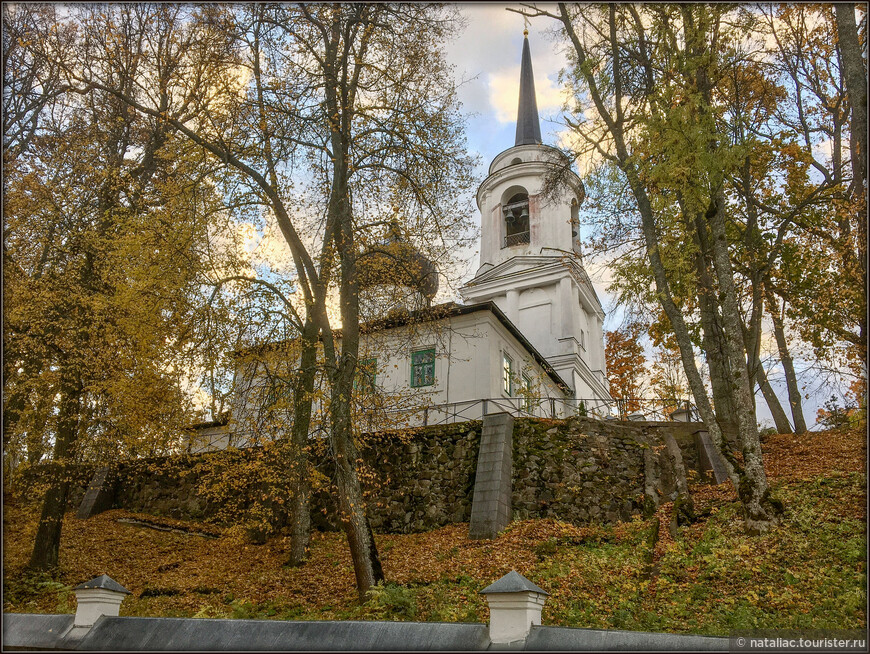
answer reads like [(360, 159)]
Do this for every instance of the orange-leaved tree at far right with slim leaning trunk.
[(820, 245)]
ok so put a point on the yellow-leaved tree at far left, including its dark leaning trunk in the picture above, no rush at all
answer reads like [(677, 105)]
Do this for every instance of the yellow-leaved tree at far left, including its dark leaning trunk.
[(106, 225)]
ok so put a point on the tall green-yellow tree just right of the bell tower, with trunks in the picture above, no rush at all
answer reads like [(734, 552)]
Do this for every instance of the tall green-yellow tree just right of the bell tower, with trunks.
[(649, 76)]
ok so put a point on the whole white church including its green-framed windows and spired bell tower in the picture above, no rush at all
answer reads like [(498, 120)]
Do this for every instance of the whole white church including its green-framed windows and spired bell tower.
[(528, 338)]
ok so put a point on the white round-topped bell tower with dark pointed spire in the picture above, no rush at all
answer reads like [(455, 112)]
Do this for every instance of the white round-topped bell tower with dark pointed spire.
[(530, 255)]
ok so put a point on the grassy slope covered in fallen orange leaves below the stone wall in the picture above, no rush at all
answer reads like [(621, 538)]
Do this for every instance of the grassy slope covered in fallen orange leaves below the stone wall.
[(808, 573)]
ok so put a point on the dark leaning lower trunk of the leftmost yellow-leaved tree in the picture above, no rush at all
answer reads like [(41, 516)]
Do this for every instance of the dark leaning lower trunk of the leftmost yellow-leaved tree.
[(46, 546)]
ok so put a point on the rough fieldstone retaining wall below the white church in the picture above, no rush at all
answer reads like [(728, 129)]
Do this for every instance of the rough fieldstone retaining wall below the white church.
[(579, 470)]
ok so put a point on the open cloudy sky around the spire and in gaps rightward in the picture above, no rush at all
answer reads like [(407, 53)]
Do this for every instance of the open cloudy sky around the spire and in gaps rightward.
[(487, 56)]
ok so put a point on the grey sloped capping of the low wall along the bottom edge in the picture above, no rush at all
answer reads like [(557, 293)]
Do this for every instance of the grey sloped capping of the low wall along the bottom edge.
[(56, 632)]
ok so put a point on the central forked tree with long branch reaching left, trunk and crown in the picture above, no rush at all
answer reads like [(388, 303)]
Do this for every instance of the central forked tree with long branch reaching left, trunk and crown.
[(355, 100)]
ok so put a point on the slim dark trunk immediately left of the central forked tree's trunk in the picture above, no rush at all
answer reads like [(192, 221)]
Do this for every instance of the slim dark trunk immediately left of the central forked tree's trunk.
[(300, 510)]
